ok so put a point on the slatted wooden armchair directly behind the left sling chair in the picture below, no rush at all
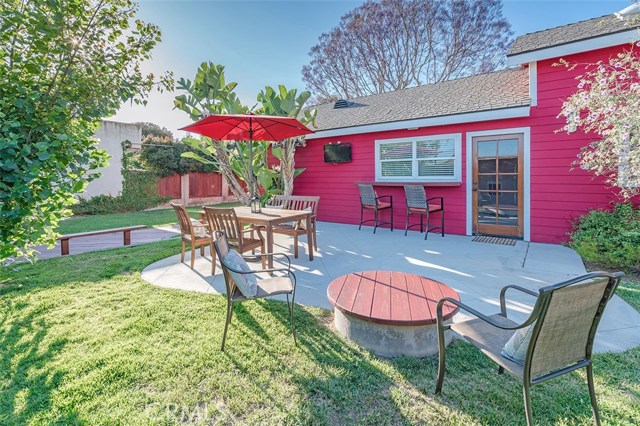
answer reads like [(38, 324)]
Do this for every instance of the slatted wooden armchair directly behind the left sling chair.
[(225, 220)]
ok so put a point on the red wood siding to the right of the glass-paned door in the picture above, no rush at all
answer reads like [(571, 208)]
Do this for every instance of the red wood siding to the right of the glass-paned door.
[(558, 194)]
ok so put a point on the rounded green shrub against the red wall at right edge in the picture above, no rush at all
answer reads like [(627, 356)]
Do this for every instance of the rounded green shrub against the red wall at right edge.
[(611, 238)]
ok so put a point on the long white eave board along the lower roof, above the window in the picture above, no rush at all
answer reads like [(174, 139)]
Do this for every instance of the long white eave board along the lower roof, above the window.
[(467, 117)]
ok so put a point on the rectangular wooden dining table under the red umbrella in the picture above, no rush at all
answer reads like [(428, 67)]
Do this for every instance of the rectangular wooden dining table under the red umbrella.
[(267, 218)]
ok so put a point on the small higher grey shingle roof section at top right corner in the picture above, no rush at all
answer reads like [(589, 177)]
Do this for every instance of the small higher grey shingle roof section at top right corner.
[(577, 31)]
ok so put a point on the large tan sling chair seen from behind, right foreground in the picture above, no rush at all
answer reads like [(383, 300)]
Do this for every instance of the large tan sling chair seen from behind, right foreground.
[(562, 325)]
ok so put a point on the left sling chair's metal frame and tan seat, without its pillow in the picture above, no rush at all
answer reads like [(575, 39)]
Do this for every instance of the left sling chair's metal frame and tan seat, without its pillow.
[(266, 287)]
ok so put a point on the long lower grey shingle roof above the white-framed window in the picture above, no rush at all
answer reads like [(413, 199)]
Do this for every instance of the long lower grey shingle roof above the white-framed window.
[(482, 92)]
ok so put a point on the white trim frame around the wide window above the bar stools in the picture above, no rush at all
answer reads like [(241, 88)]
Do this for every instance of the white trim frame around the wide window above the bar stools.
[(457, 163)]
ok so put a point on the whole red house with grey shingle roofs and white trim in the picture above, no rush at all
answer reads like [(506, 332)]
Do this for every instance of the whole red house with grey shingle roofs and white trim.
[(486, 143)]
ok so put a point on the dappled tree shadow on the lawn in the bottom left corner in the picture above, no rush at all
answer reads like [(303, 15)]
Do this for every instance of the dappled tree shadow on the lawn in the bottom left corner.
[(27, 380)]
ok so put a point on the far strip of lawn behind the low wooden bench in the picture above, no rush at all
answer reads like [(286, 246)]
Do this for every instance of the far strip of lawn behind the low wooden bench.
[(117, 220)]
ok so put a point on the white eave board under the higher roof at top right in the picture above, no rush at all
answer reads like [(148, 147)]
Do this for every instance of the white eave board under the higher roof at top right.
[(585, 45)]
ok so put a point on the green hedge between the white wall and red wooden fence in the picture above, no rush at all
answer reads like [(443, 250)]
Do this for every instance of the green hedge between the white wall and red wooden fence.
[(139, 192)]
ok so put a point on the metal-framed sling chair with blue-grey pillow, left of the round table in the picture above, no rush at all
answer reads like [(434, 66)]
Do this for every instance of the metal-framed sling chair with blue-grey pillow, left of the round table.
[(237, 275)]
